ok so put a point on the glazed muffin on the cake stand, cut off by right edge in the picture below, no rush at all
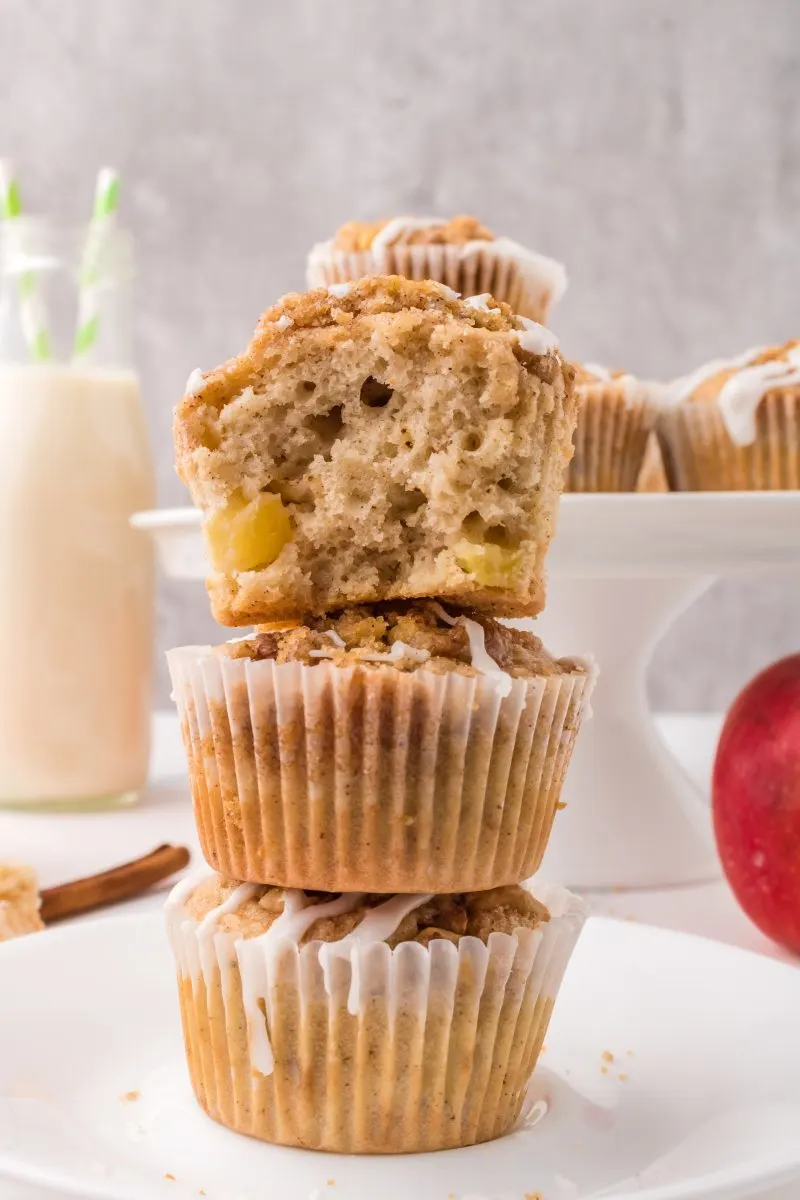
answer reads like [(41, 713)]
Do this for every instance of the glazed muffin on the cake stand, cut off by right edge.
[(736, 425)]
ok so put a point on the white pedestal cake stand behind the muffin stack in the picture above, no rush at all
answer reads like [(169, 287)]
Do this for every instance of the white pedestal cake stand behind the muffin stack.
[(622, 569)]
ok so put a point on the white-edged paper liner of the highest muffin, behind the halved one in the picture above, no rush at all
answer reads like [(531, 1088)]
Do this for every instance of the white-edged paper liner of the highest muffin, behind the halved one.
[(530, 283)]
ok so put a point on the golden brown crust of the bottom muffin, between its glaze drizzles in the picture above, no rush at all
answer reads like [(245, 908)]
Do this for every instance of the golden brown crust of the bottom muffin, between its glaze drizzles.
[(453, 917)]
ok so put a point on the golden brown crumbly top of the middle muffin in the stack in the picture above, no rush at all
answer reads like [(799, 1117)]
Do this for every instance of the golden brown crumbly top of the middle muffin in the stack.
[(418, 625)]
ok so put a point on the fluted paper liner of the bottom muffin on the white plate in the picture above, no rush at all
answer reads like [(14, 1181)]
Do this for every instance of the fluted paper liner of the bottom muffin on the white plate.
[(393, 1051)]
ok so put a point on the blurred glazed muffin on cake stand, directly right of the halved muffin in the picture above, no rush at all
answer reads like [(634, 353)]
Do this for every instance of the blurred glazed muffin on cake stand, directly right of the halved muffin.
[(616, 417)]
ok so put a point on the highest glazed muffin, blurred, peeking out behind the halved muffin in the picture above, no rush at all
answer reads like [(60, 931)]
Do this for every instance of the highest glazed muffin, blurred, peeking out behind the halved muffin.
[(460, 253)]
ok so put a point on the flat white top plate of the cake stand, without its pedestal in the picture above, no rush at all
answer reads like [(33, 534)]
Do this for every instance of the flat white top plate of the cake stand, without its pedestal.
[(599, 537)]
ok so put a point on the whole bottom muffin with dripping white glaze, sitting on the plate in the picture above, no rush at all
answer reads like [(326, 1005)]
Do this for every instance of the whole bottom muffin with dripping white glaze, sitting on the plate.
[(368, 1024)]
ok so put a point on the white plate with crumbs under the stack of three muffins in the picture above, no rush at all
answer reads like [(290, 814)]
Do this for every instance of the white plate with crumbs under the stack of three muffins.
[(706, 1035)]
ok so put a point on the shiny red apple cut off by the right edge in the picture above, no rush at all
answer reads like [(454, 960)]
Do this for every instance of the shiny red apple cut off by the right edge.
[(756, 797)]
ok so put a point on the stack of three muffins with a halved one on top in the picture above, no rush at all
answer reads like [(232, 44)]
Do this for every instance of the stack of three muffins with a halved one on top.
[(377, 767)]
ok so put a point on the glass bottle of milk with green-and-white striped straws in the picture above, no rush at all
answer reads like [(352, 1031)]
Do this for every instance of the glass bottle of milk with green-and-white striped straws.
[(76, 581)]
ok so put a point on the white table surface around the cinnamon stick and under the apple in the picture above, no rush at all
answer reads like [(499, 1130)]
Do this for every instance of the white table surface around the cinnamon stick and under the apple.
[(68, 845)]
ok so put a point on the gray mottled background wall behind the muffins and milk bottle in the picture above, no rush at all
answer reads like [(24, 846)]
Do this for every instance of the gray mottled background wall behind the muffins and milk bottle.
[(654, 147)]
